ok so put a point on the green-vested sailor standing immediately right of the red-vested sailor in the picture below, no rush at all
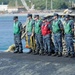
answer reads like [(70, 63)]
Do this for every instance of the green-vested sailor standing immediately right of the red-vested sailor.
[(57, 28)]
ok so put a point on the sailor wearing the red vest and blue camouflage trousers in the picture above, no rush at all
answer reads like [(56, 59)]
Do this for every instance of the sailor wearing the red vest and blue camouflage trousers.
[(46, 32)]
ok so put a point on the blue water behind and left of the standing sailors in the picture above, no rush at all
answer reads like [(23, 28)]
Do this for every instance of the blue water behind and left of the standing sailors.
[(6, 31)]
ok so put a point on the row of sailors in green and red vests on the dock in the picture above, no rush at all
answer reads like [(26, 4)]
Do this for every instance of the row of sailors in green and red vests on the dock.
[(44, 36)]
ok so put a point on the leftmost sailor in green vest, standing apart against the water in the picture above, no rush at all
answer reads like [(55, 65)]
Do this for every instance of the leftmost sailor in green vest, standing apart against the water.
[(17, 35)]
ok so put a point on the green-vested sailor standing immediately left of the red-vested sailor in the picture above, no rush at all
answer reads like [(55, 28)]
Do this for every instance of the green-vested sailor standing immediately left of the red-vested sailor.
[(38, 35)]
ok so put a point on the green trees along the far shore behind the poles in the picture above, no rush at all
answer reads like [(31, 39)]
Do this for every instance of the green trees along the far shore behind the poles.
[(41, 4)]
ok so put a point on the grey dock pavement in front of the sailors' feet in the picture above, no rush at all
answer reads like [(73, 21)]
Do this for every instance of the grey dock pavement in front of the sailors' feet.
[(28, 64)]
